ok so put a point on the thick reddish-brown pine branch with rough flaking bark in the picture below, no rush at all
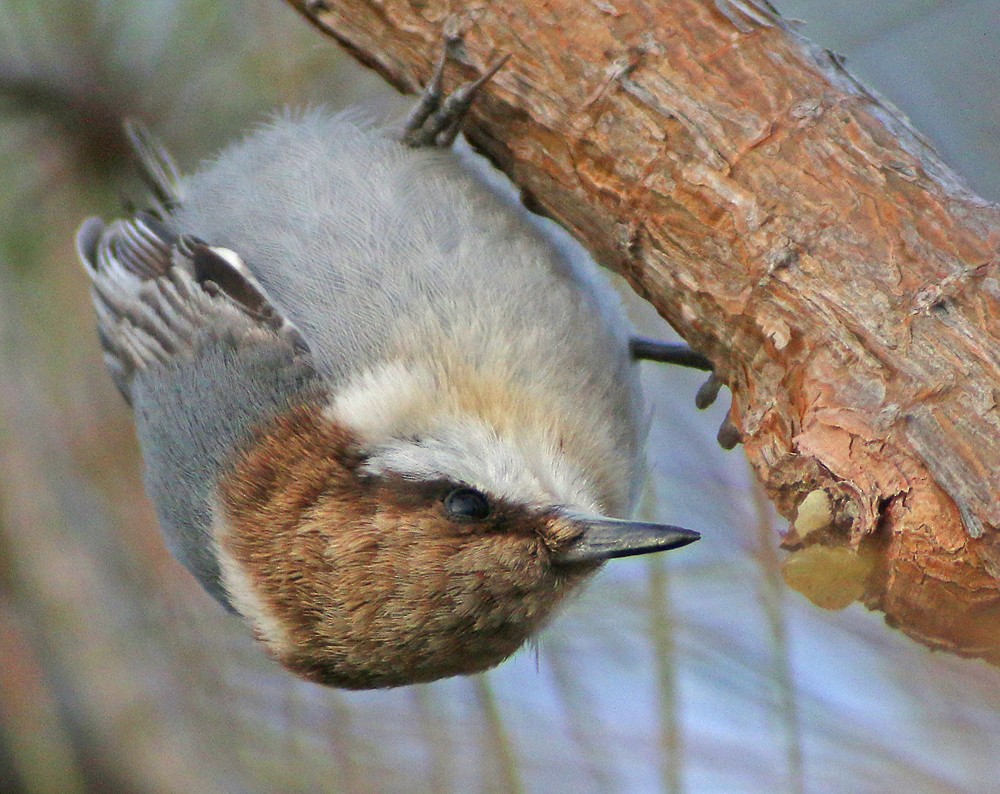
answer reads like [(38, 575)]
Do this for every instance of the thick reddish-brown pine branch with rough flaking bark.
[(792, 226)]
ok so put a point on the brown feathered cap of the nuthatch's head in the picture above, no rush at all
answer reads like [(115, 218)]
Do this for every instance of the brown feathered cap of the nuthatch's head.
[(365, 581)]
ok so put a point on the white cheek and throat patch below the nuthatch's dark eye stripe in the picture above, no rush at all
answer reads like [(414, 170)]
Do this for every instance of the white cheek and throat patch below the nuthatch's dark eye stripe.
[(413, 429)]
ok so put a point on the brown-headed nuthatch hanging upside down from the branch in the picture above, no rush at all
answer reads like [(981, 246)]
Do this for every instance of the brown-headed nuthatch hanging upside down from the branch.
[(384, 417)]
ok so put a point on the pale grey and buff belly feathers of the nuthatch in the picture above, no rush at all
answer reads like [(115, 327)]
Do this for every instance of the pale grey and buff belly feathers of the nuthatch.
[(381, 253)]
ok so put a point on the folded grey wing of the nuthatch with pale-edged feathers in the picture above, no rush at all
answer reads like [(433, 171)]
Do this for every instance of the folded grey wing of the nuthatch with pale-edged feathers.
[(203, 357)]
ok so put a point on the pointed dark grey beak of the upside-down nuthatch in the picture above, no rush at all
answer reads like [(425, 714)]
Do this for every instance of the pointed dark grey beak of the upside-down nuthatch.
[(607, 538)]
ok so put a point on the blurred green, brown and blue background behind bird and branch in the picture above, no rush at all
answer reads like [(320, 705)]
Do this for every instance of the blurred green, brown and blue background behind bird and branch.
[(696, 671)]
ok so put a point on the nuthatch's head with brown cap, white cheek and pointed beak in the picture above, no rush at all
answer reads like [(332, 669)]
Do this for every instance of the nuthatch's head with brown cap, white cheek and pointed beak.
[(424, 550)]
